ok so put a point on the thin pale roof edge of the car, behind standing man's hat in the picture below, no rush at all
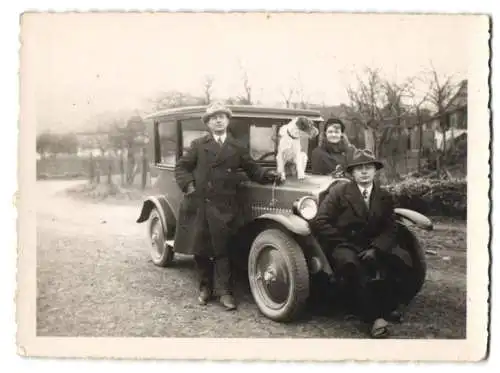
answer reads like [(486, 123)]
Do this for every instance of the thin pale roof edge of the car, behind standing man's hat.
[(238, 111)]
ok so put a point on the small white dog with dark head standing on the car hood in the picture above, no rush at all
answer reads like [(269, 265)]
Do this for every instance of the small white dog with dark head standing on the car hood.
[(289, 149)]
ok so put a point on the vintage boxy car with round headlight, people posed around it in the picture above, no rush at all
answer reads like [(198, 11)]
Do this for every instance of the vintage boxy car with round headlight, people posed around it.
[(274, 243)]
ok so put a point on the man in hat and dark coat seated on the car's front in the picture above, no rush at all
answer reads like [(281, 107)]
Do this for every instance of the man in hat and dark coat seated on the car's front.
[(355, 226)]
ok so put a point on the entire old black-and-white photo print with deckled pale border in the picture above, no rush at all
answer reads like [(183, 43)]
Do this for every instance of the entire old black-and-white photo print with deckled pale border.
[(262, 176)]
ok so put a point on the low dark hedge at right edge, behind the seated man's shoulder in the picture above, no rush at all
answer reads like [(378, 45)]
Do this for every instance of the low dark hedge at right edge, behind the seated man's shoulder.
[(431, 196)]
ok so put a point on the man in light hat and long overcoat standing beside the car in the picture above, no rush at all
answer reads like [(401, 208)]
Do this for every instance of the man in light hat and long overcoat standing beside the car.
[(207, 174)]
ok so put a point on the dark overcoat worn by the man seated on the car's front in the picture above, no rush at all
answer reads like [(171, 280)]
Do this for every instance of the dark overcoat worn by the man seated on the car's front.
[(344, 219)]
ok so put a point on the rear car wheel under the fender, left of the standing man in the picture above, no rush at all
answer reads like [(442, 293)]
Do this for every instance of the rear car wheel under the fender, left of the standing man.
[(162, 254)]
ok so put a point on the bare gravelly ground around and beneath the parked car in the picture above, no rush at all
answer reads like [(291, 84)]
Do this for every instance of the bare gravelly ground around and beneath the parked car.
[(95, 279)]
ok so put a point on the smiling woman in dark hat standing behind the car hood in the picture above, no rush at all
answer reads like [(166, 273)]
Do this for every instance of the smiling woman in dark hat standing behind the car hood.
[(331, 156)]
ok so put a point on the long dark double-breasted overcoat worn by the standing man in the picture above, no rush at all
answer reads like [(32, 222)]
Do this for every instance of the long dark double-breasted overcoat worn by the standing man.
[(209, 213)]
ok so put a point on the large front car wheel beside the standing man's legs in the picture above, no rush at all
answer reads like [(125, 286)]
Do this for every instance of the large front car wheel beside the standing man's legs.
[(278, 275)]
